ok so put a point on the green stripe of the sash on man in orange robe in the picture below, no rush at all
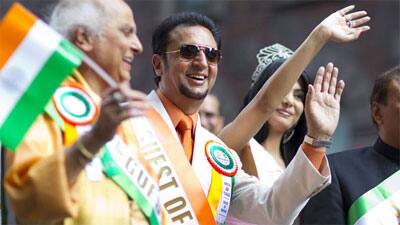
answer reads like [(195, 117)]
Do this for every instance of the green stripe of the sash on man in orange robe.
[(114, 172)]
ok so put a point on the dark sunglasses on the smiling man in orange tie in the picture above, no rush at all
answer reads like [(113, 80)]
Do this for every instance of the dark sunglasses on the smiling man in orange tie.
[(213, 55)]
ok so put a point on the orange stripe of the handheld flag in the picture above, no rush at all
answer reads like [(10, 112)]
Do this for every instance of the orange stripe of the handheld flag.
[(13, 29)]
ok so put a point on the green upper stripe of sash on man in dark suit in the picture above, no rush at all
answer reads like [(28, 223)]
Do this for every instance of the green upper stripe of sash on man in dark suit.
[(371, 199)]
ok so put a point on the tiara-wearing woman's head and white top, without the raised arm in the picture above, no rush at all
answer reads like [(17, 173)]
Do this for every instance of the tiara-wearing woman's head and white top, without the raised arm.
[(276, 143)]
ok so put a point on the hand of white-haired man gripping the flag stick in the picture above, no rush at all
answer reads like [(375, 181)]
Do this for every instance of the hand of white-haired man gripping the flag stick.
[(118, 105)]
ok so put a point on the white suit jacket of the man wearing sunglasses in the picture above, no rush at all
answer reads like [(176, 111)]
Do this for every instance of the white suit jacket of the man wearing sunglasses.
[(278, 202)]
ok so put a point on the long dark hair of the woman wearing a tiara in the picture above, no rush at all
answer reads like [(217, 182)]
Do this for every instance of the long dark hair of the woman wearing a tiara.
[(293, 138)]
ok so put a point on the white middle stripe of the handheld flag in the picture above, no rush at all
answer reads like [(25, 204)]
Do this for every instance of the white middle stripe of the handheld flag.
[(24, 64)]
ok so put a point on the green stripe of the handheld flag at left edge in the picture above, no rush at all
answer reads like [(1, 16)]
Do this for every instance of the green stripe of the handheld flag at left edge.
[(60, 64)]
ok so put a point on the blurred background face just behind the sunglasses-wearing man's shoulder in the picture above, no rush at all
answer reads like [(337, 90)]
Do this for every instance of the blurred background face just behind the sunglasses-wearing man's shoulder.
[(210, 114)]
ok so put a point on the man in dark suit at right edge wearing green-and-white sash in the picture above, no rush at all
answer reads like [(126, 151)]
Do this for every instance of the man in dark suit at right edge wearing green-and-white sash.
[(366, 182)]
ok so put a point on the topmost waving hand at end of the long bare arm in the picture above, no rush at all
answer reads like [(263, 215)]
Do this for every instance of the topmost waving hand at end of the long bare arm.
[(343, 26)]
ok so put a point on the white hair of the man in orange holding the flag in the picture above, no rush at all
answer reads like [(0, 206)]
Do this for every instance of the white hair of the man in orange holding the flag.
[(71, 14)]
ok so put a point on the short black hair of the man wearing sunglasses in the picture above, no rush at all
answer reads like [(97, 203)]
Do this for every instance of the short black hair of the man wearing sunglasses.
[(160, 37)]
